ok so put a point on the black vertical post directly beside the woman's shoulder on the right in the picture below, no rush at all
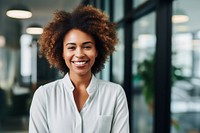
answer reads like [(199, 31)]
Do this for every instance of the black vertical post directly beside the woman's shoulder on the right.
[(128, 59)]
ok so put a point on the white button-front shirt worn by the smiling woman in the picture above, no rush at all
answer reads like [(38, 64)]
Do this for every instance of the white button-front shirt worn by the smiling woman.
[(53, 109)]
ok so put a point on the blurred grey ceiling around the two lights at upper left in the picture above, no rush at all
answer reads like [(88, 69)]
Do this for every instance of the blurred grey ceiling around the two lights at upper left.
[(42, 13)]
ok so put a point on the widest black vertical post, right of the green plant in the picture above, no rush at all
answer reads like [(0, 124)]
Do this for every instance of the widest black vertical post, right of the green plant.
[(163, 67)]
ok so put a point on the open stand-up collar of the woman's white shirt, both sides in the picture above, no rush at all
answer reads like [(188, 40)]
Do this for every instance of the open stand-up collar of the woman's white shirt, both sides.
[(91, 89)]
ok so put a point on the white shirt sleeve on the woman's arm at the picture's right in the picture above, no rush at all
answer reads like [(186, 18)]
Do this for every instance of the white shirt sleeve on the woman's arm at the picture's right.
[(121, 114)]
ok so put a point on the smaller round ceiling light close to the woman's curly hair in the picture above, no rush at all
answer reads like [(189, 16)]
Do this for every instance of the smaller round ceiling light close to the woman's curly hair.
[(34, 29)]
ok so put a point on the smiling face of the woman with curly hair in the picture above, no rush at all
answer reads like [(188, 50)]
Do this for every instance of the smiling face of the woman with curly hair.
[(79, 52)]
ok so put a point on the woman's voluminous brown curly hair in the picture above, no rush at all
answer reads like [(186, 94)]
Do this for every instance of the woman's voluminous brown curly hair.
[(87, 19)]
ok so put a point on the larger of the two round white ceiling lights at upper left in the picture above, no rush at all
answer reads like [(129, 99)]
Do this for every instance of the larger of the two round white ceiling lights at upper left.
[(19, 12)]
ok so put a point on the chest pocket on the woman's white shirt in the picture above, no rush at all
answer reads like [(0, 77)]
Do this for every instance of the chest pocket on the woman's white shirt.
[(104, 124)]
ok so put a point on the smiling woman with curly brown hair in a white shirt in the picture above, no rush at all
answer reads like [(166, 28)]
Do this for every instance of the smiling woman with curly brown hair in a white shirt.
[(78, 44)]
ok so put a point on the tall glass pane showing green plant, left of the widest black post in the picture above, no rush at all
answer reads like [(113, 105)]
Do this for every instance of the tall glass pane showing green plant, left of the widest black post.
[(143, 62)]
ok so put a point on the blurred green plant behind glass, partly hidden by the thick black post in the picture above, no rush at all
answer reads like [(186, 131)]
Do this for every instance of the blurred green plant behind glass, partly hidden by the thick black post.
[(146, 72)]
